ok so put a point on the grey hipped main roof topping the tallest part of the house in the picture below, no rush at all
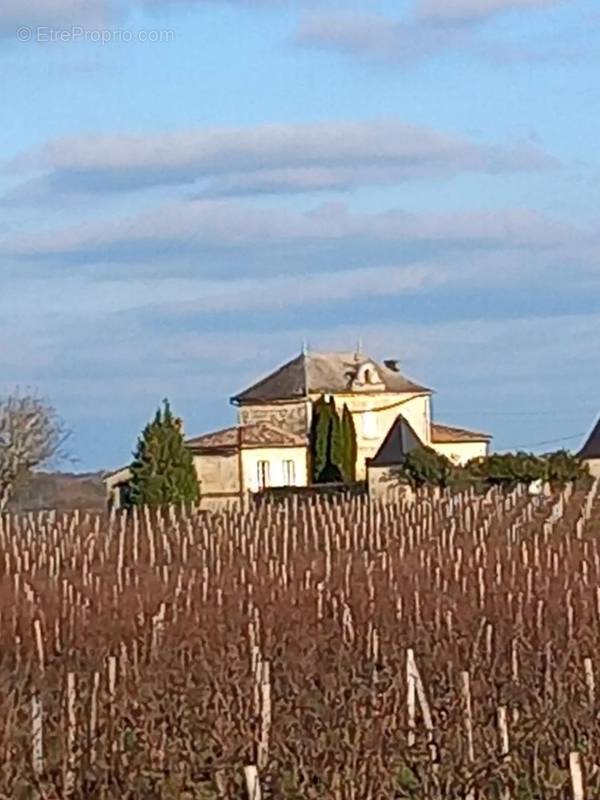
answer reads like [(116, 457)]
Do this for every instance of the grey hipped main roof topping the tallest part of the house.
[(329, 373)]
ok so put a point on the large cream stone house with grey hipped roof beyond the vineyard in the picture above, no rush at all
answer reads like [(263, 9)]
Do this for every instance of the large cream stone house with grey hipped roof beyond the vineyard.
[(270, 443)]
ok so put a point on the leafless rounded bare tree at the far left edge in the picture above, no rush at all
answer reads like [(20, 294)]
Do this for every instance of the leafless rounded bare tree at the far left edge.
[(31, 434)]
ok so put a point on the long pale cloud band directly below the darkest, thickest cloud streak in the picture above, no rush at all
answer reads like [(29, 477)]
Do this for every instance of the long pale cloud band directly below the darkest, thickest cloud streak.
[(201, 224)]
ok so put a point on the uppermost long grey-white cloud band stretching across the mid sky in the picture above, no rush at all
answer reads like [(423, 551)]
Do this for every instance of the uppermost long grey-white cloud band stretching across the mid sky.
[(269, 158)]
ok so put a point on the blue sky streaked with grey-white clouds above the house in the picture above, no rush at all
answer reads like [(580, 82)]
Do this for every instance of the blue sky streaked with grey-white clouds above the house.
[(190, 190)]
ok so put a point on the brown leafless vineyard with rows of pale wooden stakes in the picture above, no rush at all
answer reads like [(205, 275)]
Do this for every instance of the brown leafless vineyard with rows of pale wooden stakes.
[(309, 648)]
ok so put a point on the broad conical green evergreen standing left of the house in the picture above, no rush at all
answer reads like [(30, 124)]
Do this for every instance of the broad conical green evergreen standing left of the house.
[(162, 472)]
